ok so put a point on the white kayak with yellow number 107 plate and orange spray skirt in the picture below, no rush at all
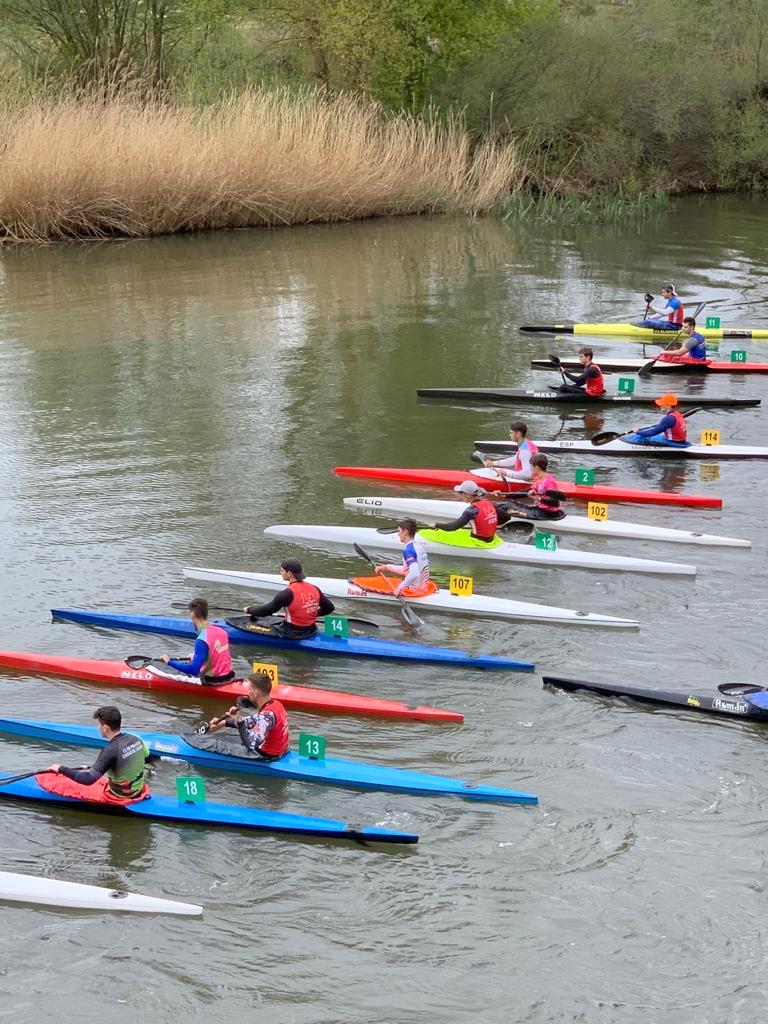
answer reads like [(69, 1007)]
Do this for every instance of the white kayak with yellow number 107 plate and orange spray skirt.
[(443, 601)]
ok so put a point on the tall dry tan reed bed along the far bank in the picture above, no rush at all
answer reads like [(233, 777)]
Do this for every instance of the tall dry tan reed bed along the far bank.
[(83, 170)]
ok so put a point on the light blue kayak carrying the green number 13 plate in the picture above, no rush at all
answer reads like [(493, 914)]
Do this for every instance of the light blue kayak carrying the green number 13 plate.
[(332, 772)]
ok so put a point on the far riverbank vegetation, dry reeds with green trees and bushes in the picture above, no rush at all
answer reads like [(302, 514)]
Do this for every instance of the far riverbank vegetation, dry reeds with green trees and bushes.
[(140, 117)]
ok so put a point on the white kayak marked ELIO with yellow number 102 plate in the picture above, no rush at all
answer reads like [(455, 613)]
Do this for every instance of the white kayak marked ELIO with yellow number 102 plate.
[(428, 510)]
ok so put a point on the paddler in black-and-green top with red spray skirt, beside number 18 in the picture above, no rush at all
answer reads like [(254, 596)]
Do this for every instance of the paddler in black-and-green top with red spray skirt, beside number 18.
[(118, 775)]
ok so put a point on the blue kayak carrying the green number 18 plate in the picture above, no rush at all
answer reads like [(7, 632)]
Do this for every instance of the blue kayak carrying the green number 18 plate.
[(211, 816)]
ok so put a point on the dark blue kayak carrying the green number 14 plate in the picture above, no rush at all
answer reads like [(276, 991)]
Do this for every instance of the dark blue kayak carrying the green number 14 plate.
[(320, 644)]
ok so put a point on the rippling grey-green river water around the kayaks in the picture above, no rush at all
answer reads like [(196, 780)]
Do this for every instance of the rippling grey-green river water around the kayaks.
[(163, 402)]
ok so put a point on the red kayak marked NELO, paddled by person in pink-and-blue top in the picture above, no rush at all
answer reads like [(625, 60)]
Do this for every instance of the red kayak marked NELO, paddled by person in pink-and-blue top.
[(298, 698)]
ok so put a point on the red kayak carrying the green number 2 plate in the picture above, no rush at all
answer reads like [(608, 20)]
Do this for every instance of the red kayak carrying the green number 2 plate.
[(450, 479)]
